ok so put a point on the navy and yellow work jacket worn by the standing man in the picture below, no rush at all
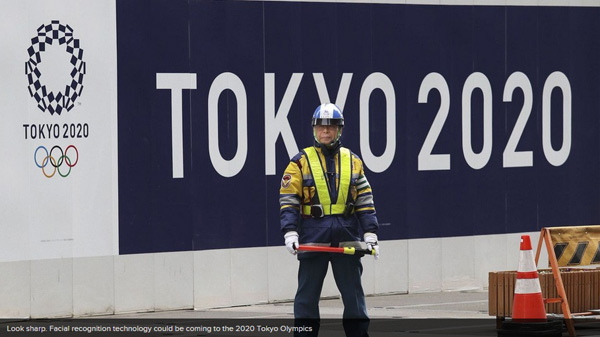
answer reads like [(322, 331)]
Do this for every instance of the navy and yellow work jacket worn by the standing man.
[(299, 192)]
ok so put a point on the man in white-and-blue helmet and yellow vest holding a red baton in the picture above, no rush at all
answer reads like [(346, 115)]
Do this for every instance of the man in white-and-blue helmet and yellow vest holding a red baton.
[(326, 200)]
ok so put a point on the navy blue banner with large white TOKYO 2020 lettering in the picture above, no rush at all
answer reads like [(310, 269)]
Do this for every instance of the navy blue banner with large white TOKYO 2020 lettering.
[(470, 120)]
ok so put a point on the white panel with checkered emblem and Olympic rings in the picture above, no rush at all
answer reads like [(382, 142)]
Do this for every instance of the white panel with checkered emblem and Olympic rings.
[(58, 134)]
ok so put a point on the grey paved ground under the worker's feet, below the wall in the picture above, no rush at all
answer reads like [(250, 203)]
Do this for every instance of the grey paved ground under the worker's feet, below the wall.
[(459, 313)]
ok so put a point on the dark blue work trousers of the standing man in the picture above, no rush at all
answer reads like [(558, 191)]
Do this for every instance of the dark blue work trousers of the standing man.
[(347, 272)]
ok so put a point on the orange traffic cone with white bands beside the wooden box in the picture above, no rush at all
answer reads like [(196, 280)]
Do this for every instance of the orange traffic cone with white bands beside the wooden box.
[(528, 304)]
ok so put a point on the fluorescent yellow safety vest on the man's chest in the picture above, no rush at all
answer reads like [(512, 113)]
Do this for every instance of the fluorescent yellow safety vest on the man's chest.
[(321, 183)]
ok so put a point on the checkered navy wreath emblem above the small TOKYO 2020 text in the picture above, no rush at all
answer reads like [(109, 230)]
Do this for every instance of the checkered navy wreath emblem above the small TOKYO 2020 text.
[(51, 101)]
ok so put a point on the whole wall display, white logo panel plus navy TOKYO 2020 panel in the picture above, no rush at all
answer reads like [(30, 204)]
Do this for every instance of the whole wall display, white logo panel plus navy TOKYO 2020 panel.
[(145, 126)]
